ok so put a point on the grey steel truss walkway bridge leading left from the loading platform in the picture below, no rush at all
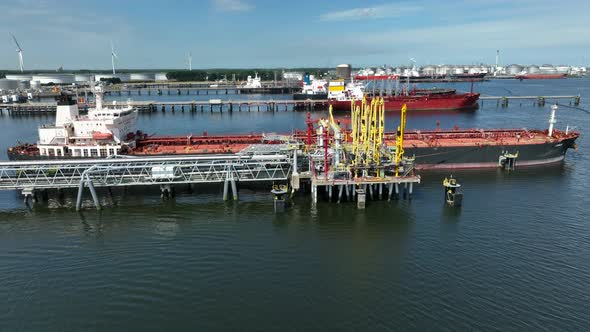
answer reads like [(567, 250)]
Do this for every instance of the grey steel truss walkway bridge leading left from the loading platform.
[(31, 176)]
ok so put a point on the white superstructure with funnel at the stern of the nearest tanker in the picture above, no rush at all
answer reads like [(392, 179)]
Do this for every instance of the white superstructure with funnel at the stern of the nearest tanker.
[(102, 133)]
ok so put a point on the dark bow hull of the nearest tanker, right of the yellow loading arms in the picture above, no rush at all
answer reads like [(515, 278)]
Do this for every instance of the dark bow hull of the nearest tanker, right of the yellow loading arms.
[(462, 157)]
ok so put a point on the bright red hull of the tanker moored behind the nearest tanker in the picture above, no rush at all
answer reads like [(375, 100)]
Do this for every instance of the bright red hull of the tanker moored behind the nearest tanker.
[(466, 101)]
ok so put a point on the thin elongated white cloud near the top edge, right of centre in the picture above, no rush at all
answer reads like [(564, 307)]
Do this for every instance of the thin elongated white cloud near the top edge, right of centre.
[(382, 11)]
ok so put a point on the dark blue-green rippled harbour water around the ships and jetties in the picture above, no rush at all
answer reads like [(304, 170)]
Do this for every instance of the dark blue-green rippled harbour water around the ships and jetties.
[(513, 257)]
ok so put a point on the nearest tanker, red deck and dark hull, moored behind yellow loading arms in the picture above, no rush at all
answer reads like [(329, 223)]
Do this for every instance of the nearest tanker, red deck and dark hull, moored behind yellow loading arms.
[(433, 149)]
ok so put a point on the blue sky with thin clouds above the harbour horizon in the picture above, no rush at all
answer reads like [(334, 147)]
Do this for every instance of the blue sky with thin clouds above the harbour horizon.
[(275, 33)]
